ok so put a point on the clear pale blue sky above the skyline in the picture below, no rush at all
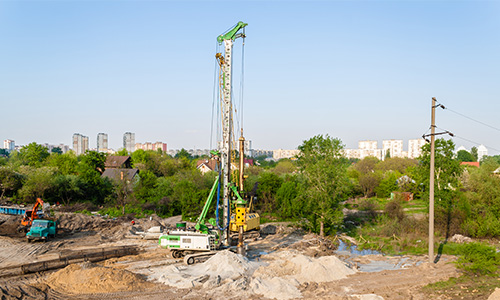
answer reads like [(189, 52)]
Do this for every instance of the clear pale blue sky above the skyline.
[(355, 70)]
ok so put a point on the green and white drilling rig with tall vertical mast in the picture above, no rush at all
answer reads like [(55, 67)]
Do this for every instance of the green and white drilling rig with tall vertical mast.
[(202, 242)]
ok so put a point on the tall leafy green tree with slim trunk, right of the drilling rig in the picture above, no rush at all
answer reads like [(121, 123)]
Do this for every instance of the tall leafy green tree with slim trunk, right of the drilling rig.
[(323, 166)]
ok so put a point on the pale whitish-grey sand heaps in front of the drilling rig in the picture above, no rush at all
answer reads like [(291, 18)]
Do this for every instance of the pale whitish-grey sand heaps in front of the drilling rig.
[(277, 275)]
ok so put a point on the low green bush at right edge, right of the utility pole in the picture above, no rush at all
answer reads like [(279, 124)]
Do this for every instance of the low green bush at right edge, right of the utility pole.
[(478, 258)]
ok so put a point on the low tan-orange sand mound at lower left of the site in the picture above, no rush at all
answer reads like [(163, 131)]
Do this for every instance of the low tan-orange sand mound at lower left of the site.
[(87, 278)]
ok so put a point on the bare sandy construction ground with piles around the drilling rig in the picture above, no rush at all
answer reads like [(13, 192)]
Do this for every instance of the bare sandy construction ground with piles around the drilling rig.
[(284, 263)]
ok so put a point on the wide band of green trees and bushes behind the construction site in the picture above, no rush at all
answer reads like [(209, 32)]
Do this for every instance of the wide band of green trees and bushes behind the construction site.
[(309, 189)]
